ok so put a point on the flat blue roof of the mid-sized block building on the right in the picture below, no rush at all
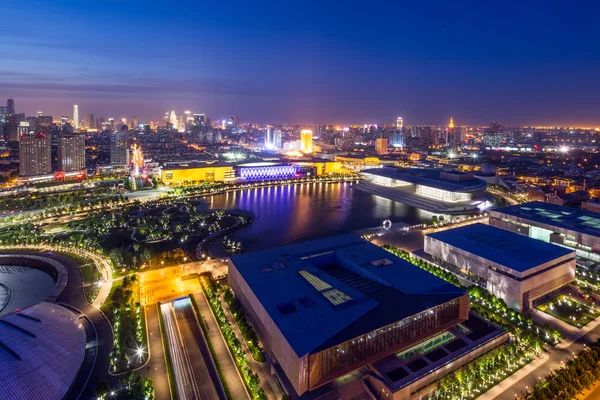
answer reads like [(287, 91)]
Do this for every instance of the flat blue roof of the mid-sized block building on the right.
[(509, 249)]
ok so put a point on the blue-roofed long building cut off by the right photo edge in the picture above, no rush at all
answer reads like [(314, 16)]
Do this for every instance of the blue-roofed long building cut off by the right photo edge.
[(565, 226)]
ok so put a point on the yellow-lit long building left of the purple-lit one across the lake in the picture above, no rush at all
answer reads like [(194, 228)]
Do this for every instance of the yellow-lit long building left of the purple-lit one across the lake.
[(195, 174)]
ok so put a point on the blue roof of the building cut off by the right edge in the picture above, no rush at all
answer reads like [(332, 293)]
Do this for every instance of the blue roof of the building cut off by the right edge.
[(574, 219)]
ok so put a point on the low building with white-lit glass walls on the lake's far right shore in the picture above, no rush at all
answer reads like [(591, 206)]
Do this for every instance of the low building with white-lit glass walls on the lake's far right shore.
[(434, 190)]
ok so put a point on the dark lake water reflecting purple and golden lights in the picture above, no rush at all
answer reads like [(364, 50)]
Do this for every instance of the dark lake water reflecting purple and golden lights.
[(293, 213)]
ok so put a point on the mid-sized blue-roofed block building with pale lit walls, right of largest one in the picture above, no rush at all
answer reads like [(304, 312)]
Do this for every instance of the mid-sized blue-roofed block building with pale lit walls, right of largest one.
[(517, 269)]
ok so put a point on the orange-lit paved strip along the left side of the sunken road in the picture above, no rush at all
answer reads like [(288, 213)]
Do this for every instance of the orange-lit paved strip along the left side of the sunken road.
[(156, 368)]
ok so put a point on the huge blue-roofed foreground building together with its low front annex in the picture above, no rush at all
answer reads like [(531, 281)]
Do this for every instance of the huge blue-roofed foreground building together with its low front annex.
[(341, 306)]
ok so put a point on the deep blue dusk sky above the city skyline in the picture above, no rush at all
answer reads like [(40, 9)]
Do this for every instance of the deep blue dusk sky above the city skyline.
[(524, 62)]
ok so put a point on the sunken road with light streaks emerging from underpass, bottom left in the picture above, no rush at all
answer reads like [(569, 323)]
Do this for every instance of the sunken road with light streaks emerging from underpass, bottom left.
[(207, 378)]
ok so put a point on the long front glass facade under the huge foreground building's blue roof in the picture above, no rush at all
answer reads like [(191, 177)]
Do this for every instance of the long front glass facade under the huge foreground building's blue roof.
[(335, 361)]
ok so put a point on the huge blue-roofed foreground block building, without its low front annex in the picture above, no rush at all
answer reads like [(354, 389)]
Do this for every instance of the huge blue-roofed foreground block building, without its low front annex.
[(327, 307)]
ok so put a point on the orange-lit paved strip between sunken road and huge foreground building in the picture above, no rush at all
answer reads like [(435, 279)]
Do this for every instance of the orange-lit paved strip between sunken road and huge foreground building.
[(236, 386)]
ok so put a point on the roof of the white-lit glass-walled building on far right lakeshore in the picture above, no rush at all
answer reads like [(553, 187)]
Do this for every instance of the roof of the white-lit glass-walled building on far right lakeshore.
[(428, 177)]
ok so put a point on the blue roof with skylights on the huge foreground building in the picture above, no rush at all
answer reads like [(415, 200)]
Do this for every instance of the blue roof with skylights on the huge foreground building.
[(324, 292)]
